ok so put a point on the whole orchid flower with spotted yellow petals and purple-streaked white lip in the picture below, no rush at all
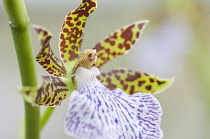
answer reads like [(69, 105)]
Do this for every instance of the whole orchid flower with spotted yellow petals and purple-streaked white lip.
[(100, 108)]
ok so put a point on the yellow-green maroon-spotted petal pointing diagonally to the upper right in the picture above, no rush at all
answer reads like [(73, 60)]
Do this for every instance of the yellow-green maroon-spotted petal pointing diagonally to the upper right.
[(119, 42)]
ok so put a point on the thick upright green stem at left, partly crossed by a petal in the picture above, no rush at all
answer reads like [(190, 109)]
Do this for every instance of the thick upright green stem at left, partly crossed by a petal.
[(19, 23)]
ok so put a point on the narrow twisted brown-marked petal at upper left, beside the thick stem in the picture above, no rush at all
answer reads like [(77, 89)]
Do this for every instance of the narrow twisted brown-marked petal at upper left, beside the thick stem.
[(46, 58)]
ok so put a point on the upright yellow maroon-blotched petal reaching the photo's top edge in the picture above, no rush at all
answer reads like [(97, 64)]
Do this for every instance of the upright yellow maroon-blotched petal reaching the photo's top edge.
[(72, 32)]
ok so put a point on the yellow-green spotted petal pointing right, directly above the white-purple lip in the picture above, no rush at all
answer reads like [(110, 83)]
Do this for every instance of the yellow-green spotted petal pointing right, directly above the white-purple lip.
[(133, 81)]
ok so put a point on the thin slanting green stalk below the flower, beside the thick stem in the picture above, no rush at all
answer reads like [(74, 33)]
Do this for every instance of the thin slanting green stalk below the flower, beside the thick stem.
[(45, 117)]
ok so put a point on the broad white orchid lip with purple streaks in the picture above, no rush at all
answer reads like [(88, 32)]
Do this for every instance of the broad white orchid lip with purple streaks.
[(96, 112)]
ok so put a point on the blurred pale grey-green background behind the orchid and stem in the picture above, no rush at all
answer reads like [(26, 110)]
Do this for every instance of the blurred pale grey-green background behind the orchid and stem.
[(174, 44)]
